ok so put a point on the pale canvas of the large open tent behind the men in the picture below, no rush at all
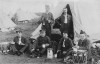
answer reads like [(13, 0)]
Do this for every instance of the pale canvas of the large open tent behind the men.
[(85, 15)]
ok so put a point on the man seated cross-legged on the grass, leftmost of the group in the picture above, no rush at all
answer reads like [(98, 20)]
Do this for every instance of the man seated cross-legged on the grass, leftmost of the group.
[(21, 44)]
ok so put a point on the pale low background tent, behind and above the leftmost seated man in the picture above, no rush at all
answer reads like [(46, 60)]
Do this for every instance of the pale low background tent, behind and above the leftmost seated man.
[(22, 15)]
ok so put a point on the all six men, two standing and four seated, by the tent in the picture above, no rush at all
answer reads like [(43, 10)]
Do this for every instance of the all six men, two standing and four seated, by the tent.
[(43, 42)]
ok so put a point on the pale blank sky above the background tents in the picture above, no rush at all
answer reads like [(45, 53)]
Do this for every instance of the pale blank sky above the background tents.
[(30, 5)]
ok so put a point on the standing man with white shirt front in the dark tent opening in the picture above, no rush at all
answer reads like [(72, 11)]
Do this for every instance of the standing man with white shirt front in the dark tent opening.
[(64, 21)]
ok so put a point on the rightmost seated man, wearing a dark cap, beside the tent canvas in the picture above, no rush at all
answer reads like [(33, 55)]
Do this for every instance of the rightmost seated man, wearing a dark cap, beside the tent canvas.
[(84, 44)]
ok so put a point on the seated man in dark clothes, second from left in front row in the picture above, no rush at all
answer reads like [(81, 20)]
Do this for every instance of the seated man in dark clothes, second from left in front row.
[(42, 43)]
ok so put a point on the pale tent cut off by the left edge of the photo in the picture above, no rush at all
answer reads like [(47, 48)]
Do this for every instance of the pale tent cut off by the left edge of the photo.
[(6, 23)]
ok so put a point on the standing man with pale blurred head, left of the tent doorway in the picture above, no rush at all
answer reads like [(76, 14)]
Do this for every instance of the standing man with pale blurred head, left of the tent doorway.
[(47, 20)]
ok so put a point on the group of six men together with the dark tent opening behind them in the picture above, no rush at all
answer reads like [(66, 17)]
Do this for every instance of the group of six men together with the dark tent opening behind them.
[(38, 47)]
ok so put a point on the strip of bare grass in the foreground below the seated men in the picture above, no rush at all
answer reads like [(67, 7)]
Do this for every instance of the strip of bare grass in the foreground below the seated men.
[(23, 59)]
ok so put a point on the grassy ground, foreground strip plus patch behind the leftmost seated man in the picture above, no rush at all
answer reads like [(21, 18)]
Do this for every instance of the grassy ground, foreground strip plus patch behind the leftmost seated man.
[(13, 59)]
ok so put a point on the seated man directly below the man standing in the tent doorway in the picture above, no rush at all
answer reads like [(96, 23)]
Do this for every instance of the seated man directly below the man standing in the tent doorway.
[(64, 45)]
